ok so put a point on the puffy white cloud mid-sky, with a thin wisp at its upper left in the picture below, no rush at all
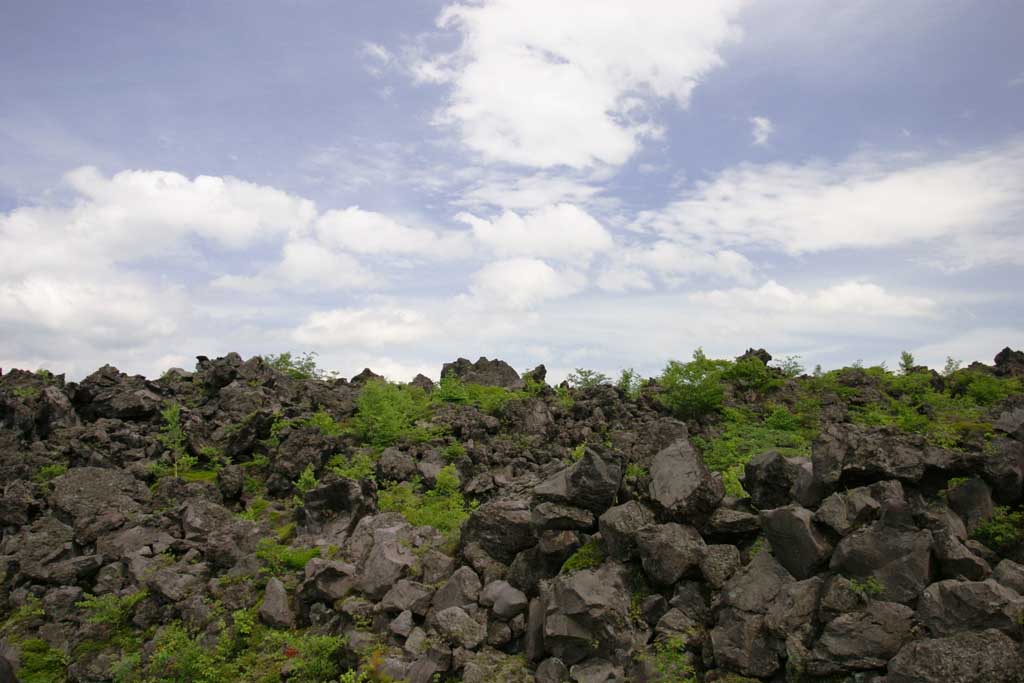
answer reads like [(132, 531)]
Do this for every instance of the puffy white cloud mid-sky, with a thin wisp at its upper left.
[(563, 232)]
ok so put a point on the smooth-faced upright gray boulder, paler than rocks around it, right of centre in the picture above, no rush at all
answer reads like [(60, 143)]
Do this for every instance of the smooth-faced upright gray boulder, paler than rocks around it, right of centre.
[(681, 484)]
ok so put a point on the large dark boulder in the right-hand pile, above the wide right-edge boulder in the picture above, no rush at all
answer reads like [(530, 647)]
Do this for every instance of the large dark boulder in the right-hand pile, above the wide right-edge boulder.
[(900, 561)]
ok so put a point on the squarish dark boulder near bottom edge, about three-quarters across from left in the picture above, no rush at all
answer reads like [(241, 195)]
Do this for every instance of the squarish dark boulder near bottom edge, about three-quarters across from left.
[(742, 644)]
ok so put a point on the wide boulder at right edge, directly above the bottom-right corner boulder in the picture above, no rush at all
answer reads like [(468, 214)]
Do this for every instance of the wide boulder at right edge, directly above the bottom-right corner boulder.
[(949, 608)]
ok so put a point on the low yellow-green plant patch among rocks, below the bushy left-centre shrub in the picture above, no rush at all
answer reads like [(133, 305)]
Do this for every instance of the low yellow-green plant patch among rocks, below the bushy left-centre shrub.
[(442, 507)]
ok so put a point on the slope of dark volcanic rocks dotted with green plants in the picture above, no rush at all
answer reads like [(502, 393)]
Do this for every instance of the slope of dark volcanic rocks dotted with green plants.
[(247, 523)]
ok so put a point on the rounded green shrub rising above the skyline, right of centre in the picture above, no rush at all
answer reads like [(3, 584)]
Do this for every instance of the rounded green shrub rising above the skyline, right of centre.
[(692, 391)]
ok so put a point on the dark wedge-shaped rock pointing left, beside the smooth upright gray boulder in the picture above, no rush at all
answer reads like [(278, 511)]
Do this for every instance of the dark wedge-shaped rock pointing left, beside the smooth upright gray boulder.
[(591, 483)]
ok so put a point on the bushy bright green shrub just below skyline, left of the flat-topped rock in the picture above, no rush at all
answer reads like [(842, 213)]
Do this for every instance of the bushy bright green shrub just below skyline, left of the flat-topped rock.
[(387, 414)]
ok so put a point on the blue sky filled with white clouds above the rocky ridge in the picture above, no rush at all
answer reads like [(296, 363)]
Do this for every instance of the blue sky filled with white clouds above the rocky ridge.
[(587, 184)]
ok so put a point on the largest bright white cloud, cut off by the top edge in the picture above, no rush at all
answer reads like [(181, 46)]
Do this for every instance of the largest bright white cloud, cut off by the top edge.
[(569, 83)]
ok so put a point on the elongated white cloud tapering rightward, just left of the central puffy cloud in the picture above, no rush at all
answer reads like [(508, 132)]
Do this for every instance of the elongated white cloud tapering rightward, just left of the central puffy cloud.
[(371, 233)]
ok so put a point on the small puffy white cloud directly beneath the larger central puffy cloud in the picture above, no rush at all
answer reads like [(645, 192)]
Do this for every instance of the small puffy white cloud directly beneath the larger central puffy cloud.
[(523, 283)]
